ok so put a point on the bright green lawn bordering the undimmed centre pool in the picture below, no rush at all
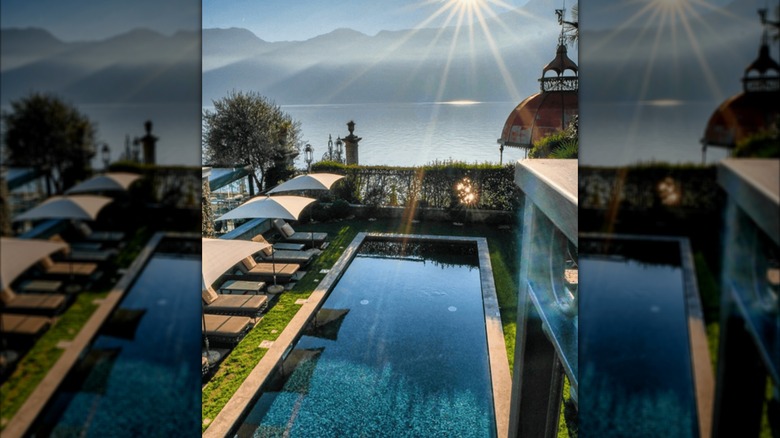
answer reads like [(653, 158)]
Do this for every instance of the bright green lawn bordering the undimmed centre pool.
[(504, 247)]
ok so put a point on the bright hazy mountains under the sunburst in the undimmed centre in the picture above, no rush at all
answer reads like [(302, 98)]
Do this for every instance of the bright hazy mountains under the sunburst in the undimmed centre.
[(346, 66)]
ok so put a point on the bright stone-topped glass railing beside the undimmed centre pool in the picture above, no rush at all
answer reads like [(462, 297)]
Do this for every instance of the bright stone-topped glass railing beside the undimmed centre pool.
[(547, 325)]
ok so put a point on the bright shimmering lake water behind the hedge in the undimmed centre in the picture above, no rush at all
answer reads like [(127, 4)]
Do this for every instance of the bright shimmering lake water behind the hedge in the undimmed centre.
[(409, 134)]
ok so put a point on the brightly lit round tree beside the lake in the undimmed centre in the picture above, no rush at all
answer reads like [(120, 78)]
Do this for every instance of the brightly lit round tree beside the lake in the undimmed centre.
[(249, 129)]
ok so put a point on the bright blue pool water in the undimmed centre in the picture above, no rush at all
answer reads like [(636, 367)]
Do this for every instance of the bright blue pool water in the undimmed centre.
[(400, 350)]
